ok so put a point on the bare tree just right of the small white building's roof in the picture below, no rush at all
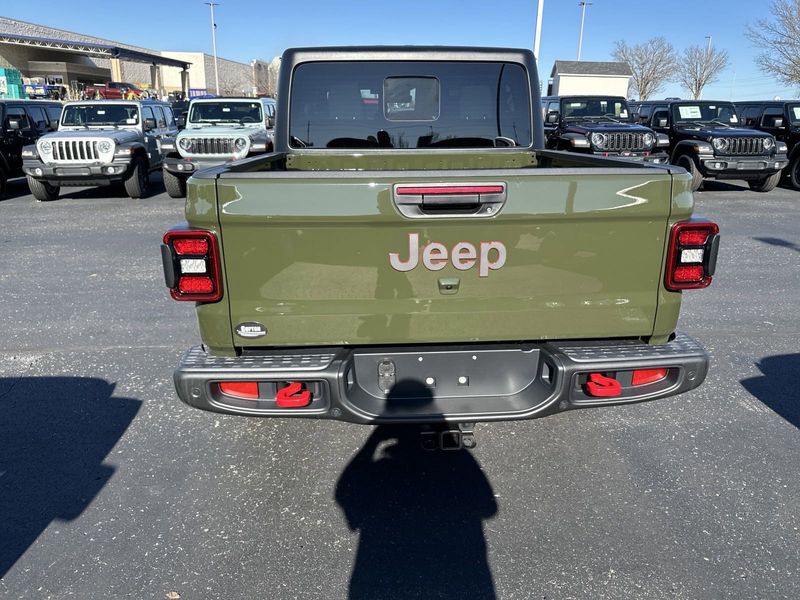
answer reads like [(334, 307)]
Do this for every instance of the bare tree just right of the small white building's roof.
[(652, 63)]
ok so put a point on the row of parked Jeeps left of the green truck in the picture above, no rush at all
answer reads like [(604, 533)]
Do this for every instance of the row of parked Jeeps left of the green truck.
[(99, 142)]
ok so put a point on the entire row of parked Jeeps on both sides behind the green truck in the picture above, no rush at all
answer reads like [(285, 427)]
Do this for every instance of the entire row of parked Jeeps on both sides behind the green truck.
[(98, 142)]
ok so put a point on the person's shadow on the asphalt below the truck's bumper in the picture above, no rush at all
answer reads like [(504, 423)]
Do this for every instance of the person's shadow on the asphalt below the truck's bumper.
[(419, 515)]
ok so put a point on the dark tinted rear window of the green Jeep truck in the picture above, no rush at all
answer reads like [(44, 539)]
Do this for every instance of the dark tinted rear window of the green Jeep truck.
[(409, 105)]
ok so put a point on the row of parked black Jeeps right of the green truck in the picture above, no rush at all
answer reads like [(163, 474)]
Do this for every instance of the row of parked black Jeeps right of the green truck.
[(751, 141)]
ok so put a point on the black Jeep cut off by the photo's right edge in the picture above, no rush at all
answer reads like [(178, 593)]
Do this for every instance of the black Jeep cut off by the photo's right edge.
[(780, 119)]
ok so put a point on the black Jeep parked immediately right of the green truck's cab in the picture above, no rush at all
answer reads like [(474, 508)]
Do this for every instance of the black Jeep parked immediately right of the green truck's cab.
[(600, 125)]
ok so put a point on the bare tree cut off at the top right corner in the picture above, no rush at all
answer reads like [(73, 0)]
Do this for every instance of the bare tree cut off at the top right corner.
[(779, 38)]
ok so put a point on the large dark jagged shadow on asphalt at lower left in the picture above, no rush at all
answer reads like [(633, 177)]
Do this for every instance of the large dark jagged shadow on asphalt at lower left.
[(55, 433)]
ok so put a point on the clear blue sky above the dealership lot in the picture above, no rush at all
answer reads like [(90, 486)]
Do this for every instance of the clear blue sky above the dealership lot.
[(248, 29)]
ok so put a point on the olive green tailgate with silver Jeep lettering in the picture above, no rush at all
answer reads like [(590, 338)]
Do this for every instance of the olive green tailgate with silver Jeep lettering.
[(308, 255)]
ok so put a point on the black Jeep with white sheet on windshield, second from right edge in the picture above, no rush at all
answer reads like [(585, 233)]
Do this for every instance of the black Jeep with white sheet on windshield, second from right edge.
[(706, 140)]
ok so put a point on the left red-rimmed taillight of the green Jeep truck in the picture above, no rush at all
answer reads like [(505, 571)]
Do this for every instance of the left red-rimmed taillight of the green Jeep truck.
[(191, 265)]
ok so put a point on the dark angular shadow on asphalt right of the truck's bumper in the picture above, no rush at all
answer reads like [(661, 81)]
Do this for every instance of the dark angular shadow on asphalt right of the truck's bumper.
[(777, 387)]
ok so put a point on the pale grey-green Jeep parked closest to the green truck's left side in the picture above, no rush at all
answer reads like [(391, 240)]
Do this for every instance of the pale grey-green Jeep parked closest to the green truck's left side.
[(218, 130)]
